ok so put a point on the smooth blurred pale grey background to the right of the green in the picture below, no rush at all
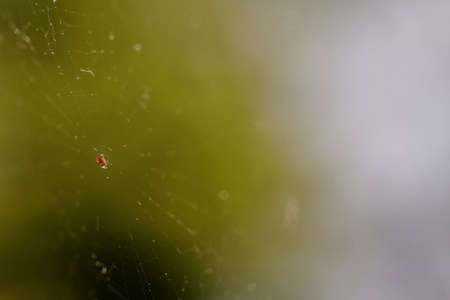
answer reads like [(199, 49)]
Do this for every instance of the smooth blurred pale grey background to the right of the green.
[(368, 83)]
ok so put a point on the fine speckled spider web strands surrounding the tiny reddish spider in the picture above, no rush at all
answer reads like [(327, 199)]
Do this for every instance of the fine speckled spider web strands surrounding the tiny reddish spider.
[(169, 217)]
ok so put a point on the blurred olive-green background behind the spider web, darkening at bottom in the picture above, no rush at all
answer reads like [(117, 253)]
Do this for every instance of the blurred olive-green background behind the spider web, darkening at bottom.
[(199, 200)]
